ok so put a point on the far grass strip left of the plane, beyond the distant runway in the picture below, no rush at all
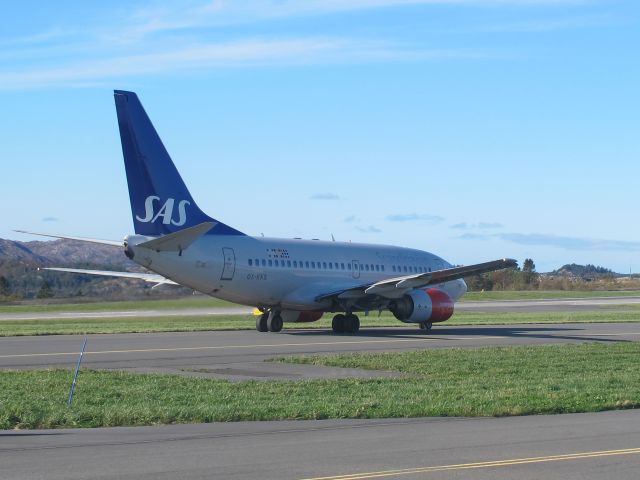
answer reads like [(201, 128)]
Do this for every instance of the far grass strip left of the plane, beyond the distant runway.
[(194, 301)]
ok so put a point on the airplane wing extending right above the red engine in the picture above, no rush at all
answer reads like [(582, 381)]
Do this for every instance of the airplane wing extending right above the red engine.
[(397, 287)]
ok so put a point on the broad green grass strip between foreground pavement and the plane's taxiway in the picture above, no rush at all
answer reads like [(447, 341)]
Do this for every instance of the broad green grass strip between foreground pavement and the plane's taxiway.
[(494, 381)]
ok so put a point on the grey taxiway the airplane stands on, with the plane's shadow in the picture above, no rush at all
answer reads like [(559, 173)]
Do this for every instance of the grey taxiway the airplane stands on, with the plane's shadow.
[(241, 354)]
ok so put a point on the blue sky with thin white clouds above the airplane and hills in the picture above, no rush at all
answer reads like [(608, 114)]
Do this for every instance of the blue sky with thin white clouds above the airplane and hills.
[(475, 129)]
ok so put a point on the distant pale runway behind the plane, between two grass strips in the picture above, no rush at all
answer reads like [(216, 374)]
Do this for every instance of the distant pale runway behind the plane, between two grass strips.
[(551, 305)]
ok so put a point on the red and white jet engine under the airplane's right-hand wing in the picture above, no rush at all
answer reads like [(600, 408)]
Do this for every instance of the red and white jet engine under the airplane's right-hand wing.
[(420, 306)]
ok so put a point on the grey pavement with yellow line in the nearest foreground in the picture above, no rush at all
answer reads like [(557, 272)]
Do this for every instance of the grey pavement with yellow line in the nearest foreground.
[(568, 447)]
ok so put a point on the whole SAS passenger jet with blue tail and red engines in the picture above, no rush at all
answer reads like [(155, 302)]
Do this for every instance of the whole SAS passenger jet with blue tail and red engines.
[(287, 280)]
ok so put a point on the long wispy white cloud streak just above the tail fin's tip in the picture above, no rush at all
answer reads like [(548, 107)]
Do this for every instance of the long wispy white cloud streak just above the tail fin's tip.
[(231, 54)]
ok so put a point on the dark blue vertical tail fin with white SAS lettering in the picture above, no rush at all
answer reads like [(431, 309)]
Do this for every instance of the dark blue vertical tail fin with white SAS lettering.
[(160, 201)]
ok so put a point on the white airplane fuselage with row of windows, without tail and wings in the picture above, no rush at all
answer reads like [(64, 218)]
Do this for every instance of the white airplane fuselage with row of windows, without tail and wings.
[(285, 273)]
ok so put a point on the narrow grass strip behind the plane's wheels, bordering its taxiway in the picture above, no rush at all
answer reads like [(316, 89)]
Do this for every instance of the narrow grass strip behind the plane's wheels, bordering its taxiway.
[(618, 313)]
